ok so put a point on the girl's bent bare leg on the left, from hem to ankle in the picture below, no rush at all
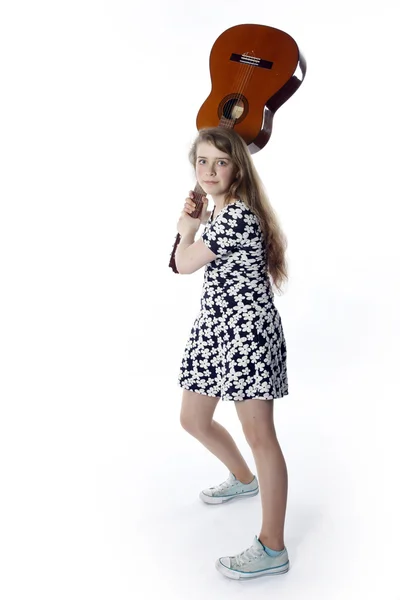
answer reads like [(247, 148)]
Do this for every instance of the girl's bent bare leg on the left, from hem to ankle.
[(197, 419)]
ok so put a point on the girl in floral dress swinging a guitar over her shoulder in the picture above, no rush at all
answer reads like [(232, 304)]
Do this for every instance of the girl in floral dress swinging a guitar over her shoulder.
[(236, 350)]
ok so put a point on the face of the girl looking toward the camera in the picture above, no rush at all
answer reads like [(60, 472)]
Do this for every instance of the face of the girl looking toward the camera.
[(215, 171)]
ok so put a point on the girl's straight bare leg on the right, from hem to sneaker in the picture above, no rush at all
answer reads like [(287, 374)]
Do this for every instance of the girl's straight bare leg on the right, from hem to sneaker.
[(257, 421)]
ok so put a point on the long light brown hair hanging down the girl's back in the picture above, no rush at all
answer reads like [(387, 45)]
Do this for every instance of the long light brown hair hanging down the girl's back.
[(249, 188)]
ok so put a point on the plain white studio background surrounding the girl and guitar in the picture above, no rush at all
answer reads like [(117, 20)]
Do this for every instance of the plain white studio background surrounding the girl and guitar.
[(99, 482)]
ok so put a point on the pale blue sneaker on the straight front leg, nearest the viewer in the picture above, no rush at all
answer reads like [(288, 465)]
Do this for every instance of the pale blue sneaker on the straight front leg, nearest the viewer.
[(253, 562)]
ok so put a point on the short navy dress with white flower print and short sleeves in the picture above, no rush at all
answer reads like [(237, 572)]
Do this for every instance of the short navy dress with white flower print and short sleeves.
[(236, 349)]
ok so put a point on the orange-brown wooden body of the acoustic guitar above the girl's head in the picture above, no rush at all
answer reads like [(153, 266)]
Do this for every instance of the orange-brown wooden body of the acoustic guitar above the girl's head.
[(254, 69)]
